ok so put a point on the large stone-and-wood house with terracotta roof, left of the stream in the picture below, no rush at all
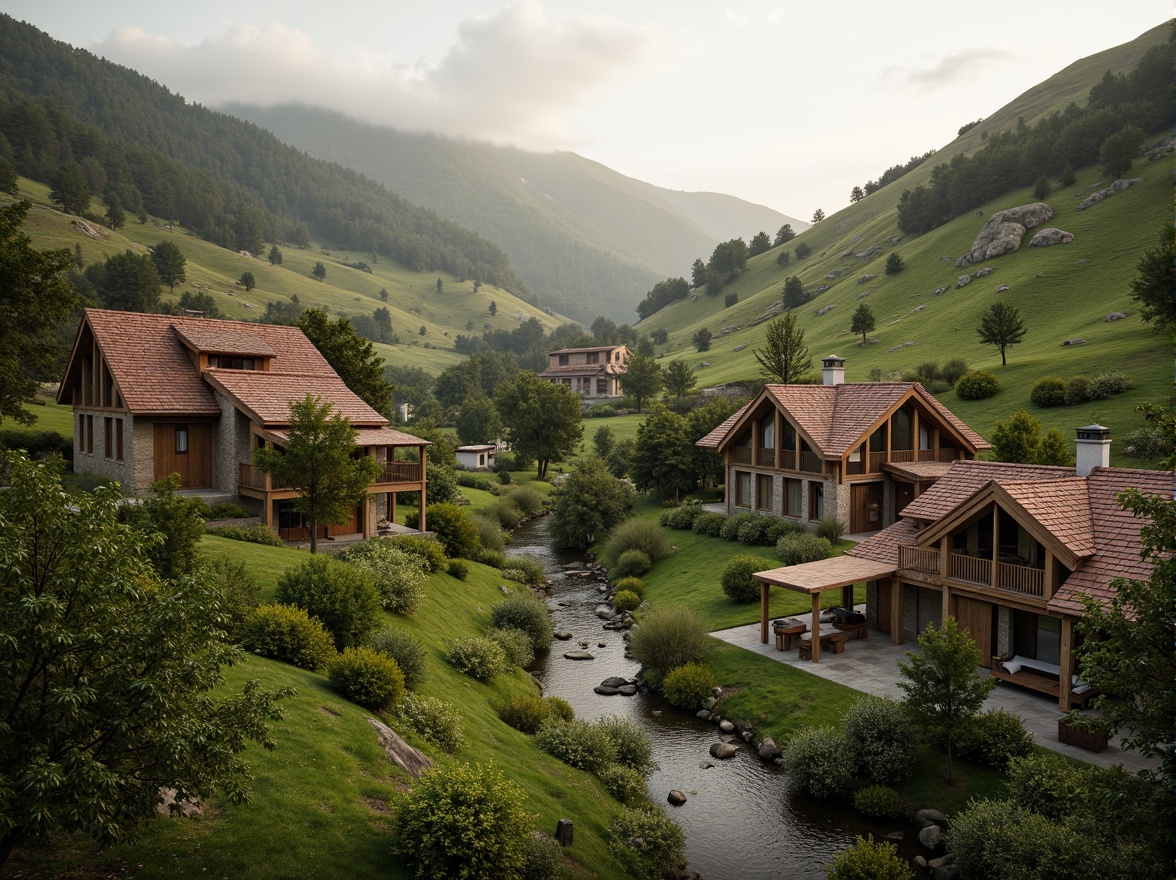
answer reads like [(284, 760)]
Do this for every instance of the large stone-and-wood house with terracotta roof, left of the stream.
[(158, 395)]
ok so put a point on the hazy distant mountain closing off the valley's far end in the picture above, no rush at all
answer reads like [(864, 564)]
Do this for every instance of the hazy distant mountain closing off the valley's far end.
[(584, 238)]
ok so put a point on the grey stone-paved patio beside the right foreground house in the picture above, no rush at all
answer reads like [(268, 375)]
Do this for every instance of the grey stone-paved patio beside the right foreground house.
[(872, 666)]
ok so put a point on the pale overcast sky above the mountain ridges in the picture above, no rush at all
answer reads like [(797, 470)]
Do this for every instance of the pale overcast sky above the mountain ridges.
[(784, 104)]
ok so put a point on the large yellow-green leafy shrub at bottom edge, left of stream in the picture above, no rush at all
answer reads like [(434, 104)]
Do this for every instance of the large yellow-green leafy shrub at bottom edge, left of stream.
[(463, 822)]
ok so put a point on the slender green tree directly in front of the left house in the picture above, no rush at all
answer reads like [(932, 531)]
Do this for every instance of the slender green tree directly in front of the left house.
[(318, 463)]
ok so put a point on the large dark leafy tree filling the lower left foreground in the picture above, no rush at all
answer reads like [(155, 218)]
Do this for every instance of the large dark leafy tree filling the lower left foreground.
[(109, 672)]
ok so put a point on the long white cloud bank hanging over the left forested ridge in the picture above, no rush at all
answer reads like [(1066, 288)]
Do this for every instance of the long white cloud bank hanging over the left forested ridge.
[(512, 77)]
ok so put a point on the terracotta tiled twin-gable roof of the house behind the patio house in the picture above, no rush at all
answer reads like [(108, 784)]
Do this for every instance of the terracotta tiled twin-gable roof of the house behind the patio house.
[(837, 418)]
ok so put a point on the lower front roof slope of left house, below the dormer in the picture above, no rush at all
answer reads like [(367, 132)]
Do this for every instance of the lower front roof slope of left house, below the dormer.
[(268, 397)]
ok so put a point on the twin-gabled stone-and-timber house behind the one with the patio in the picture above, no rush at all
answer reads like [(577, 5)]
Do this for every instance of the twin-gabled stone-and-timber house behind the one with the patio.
[(857, 451)]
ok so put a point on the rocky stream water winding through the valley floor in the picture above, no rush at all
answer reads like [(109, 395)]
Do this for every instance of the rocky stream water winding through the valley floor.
[(741, 819)]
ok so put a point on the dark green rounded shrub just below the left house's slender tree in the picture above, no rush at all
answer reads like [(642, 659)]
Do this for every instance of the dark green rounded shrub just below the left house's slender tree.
[(342, 596)]
